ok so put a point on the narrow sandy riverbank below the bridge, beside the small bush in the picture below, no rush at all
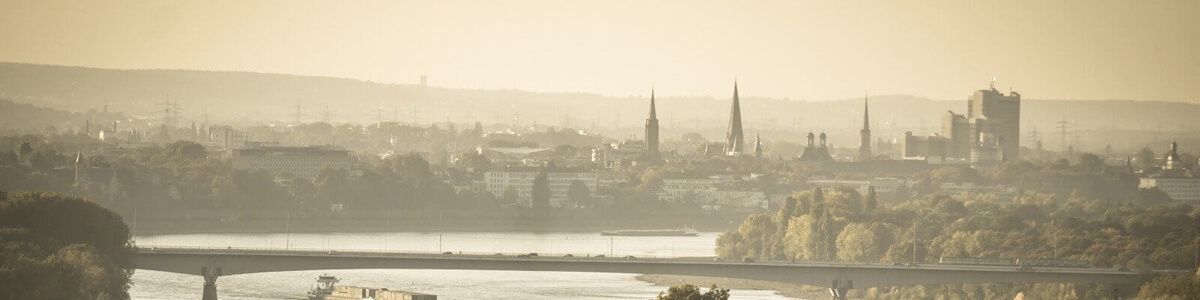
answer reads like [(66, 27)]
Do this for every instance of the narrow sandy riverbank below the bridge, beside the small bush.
[(790, 291)]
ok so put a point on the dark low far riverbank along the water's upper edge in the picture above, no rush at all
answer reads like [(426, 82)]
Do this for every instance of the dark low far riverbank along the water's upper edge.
[(197, 223)]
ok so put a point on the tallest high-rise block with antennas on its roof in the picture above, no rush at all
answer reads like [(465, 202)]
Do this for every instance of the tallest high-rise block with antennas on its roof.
[(1003, 115)]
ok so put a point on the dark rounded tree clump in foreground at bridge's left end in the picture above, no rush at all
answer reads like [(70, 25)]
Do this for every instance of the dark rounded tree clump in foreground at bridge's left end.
[(53, 247)]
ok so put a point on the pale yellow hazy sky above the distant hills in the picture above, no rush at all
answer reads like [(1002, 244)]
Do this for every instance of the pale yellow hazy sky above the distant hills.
[(800, 50)]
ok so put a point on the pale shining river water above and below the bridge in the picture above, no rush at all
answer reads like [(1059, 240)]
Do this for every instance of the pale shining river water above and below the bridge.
[(445, 284)]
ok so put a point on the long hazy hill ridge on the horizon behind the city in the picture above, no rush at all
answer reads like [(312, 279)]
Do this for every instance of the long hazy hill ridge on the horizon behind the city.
[(247, 98)]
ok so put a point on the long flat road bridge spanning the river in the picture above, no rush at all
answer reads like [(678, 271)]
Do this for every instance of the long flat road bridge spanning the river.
[(839, 278)]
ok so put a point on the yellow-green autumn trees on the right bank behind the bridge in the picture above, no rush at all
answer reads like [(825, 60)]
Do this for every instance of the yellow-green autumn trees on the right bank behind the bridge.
[(845, 226)]
